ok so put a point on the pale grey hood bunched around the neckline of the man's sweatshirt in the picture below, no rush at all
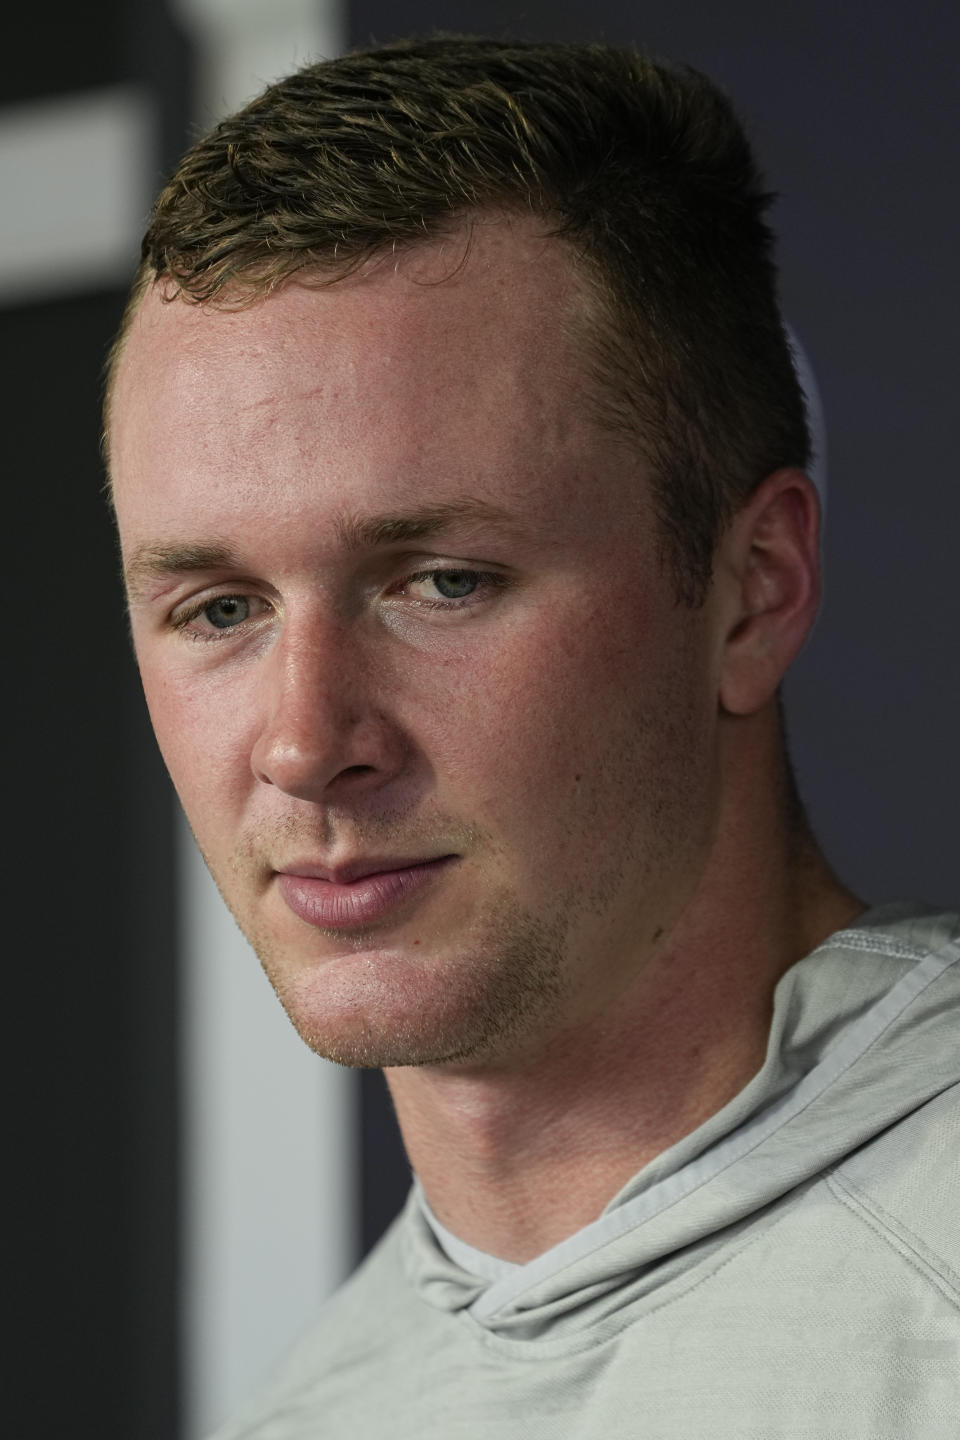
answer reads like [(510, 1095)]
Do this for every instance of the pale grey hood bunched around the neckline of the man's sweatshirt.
[(866, 1030)]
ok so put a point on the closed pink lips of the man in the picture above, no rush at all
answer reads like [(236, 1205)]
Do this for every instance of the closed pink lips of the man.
[(343, 904)]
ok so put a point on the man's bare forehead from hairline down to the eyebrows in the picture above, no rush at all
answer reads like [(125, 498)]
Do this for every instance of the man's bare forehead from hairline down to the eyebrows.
[(338, 400)]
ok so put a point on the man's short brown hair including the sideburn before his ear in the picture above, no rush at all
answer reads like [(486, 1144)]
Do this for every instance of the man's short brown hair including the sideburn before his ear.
[(638, 165)]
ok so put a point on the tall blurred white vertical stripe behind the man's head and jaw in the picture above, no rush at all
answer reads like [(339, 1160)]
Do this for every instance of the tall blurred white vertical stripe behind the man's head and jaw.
[(271, 1133)]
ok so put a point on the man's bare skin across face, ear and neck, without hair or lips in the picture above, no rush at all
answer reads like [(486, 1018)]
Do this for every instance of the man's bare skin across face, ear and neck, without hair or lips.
[(594, 973)]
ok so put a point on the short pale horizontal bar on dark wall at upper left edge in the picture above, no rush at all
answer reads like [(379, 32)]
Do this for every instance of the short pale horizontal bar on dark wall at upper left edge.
[(76, 184)]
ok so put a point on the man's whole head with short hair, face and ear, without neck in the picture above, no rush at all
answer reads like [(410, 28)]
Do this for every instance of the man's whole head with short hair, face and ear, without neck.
[(483, 400)]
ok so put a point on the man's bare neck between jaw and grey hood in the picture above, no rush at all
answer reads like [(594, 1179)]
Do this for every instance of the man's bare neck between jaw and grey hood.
[(517, 1156)]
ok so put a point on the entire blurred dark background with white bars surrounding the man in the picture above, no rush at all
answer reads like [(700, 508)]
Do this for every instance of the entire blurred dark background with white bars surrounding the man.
[(188, 1182)]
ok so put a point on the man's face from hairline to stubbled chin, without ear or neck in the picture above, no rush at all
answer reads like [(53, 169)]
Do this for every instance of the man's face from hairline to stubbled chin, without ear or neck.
[(542, 711)]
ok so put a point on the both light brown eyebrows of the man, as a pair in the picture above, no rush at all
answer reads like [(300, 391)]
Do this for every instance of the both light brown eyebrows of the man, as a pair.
[(166, 562)]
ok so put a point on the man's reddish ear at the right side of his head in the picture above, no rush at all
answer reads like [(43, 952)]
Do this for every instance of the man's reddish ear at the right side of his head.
[(768, 584)]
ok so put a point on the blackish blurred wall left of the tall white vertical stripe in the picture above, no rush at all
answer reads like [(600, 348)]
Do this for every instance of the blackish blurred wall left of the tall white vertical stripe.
[(91, 957)]
